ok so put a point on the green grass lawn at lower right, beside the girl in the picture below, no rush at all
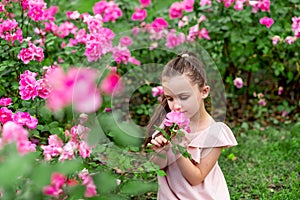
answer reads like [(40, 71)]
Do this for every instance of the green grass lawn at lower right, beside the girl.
[(265, 164)]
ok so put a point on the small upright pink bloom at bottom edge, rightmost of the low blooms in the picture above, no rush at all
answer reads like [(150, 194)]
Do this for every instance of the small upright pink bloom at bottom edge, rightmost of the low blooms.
[(88, 182)]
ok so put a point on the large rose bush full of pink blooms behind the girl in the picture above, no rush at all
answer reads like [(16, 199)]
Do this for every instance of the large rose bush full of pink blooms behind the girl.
[(61, 59)]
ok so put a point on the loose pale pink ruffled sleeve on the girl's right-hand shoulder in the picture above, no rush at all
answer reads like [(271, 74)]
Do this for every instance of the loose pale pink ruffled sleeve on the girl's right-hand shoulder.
[(217, 135)]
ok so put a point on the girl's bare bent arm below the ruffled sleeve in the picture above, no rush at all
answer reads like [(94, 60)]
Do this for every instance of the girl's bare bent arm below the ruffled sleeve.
[(195, 174)]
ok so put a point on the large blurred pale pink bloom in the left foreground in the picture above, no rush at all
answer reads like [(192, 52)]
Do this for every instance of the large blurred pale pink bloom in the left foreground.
[(77, 86)]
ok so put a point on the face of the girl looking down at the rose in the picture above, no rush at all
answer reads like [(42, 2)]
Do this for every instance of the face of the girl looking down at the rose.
[(183, 96)]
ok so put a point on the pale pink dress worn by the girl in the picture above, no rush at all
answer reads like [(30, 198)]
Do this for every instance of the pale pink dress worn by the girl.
[(175, 186)]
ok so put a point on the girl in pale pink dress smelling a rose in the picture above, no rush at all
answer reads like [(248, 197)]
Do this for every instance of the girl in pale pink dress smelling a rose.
[(199, 175)]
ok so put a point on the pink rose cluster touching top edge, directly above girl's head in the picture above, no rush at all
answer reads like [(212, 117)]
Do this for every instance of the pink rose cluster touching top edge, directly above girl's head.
[(177, 8)]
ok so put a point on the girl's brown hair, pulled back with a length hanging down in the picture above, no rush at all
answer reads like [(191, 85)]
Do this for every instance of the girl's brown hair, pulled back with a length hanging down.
[(185, 63)]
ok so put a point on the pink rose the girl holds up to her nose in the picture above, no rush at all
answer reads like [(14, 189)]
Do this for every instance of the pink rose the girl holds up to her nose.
[(177, 118)]
